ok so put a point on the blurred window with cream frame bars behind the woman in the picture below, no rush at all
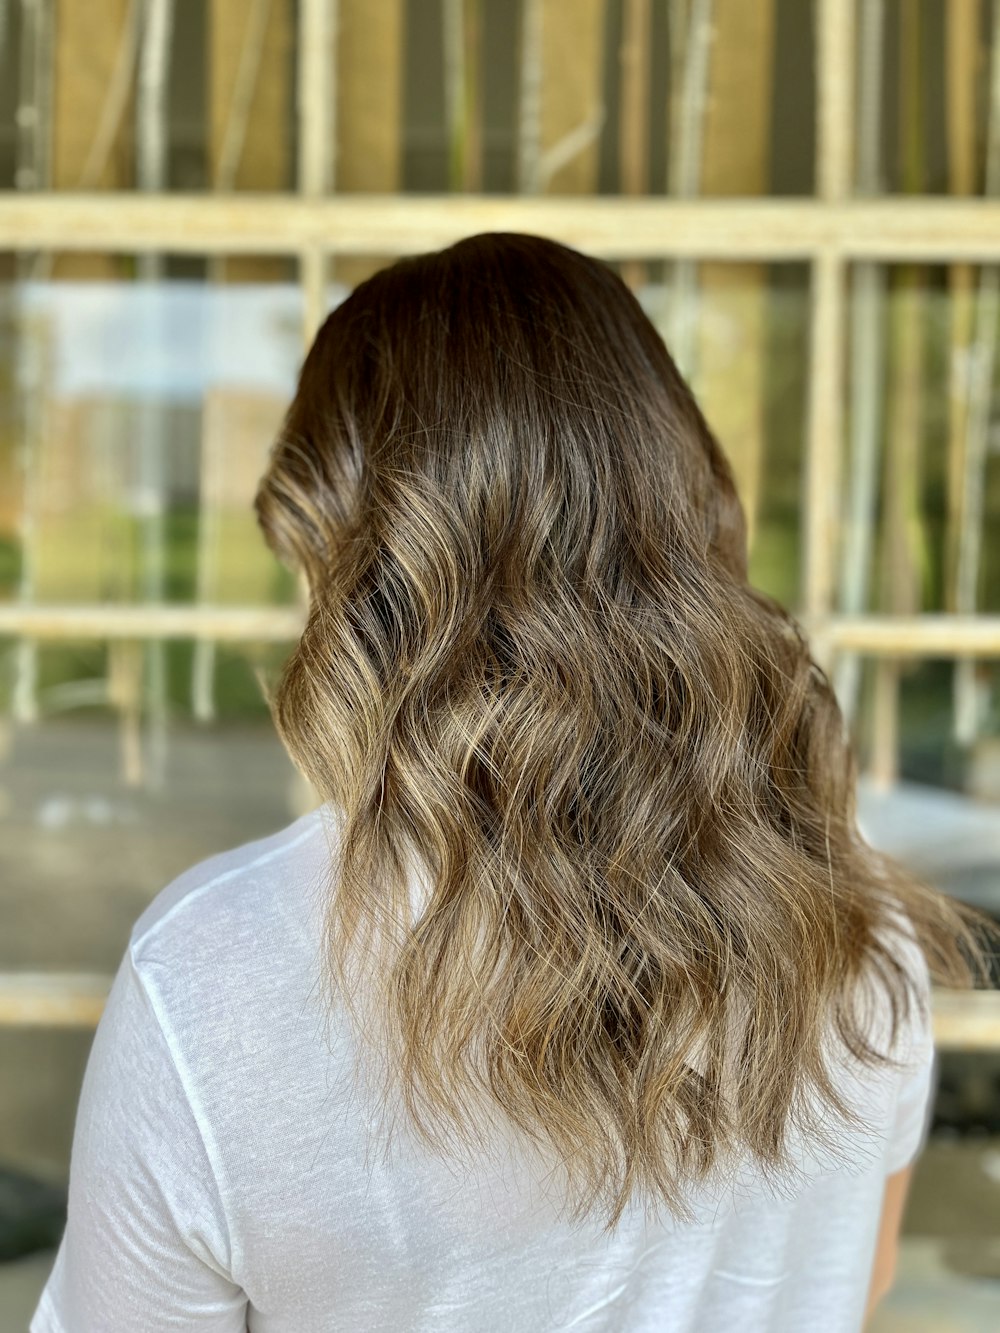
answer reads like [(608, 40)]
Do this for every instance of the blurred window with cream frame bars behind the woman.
[(806, 198)]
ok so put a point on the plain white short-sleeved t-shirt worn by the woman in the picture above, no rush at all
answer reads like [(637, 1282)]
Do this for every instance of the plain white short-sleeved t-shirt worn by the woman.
[(221, 1176)]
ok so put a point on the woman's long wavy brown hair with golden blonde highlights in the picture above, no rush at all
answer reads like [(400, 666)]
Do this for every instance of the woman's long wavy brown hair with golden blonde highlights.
[(535, 672)]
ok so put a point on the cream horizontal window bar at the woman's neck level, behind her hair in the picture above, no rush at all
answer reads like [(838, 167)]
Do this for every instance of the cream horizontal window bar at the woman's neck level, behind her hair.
[(878, 637)]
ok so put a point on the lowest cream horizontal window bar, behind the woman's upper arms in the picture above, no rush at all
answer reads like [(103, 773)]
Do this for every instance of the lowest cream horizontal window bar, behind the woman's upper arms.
[(963, 1020)]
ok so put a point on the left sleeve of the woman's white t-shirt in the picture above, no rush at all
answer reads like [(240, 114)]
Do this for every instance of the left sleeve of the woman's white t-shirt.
[(146, 1244)]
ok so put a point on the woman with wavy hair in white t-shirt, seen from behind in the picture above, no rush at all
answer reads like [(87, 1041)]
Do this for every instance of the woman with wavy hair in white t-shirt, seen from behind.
[(581, 1003)]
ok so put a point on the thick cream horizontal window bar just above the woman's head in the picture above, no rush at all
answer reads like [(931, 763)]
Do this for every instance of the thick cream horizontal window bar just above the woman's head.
[(789, 229)]
